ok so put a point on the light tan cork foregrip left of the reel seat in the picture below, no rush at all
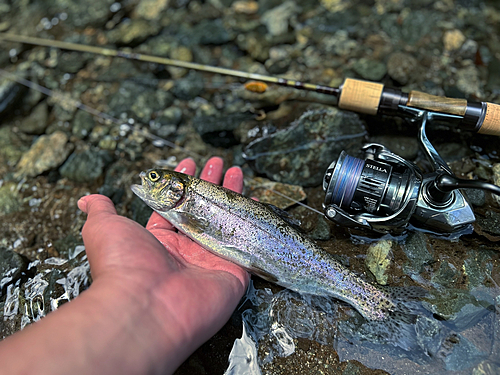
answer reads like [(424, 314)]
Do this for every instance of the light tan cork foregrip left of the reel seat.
[(360, 96)]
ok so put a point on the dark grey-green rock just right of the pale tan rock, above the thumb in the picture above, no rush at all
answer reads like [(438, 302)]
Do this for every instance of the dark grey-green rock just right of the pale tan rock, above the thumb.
[(86, 166)]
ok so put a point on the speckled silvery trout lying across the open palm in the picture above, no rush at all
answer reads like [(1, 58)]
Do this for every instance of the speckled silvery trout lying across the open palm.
[(255, 236)]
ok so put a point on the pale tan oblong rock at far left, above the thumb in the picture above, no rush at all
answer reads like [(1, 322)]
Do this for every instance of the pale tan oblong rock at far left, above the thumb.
[(48, 152)]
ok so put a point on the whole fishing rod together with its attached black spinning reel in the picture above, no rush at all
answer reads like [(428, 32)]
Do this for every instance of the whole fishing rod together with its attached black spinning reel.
[(382, 192)]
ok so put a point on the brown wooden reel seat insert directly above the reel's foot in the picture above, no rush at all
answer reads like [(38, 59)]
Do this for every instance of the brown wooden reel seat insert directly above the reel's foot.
[(434, 103)]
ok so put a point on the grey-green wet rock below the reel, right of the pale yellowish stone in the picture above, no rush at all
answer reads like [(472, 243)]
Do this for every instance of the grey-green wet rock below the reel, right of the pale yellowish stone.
[(417, 252)]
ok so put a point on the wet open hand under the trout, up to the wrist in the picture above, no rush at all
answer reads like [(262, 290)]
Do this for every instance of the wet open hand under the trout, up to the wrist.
[(190, 291)]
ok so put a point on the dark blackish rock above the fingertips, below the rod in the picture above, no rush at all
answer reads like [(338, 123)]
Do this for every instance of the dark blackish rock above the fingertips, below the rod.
[(218, 130)]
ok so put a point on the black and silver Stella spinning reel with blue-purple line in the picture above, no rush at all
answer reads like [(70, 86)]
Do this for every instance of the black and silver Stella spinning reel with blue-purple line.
[(385, 193)]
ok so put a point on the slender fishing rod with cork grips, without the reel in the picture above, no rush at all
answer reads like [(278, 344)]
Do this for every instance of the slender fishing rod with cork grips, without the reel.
[(354, 95)]
